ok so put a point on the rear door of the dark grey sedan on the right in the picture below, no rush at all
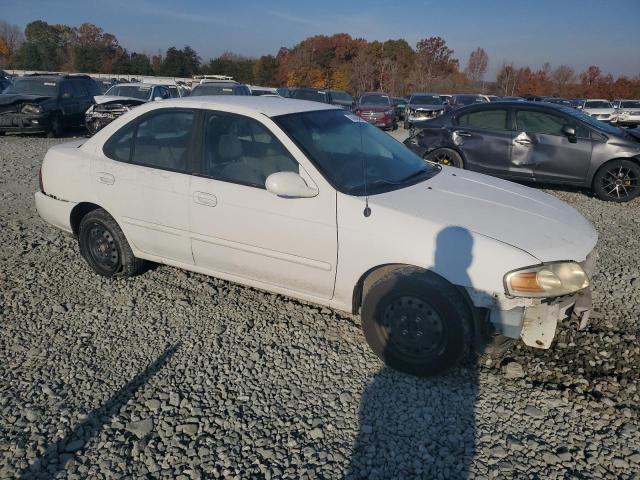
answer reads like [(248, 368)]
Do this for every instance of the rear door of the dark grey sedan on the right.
[(484, 136)]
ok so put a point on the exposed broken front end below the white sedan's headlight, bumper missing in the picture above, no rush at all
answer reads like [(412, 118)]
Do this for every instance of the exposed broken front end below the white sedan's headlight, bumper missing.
[(534, 320)]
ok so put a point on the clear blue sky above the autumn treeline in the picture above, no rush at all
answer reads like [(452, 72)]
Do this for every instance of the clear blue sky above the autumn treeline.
[(574, 32)]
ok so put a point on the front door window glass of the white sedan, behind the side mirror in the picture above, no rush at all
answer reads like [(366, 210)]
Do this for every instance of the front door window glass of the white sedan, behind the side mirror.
[(241, 150)]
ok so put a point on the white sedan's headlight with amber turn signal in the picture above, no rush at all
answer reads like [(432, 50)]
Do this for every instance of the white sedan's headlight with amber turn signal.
[(547, 280)]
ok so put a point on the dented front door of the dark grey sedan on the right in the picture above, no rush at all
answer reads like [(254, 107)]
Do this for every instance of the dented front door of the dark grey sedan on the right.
[(540, 143)]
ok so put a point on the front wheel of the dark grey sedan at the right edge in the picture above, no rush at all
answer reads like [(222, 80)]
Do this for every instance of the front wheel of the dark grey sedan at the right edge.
[(617, 181)]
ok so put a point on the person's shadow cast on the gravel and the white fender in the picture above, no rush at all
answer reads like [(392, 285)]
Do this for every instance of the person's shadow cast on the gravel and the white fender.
[(422, 428)]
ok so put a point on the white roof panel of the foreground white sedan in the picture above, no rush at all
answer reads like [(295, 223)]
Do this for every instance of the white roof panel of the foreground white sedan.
[(265, 105)]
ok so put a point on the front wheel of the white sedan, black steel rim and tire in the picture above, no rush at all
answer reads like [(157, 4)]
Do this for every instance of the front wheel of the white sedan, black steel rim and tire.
[(416, 322)]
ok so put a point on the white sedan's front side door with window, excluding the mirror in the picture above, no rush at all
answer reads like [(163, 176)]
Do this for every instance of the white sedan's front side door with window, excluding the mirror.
[(242, 232)]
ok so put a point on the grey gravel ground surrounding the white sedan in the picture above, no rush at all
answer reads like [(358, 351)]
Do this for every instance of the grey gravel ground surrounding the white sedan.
[(177, 375)]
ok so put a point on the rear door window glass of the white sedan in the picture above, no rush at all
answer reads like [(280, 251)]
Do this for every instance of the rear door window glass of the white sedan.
[(161, 139)]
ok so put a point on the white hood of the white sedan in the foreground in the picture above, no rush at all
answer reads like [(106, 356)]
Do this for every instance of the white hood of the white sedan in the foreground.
[(527, 219)]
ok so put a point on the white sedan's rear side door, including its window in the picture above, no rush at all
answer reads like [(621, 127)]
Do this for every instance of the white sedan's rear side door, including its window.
[(142, 177)]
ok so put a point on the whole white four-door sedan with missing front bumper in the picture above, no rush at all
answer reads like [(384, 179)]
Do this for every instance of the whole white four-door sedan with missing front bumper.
[(306, 200)]
